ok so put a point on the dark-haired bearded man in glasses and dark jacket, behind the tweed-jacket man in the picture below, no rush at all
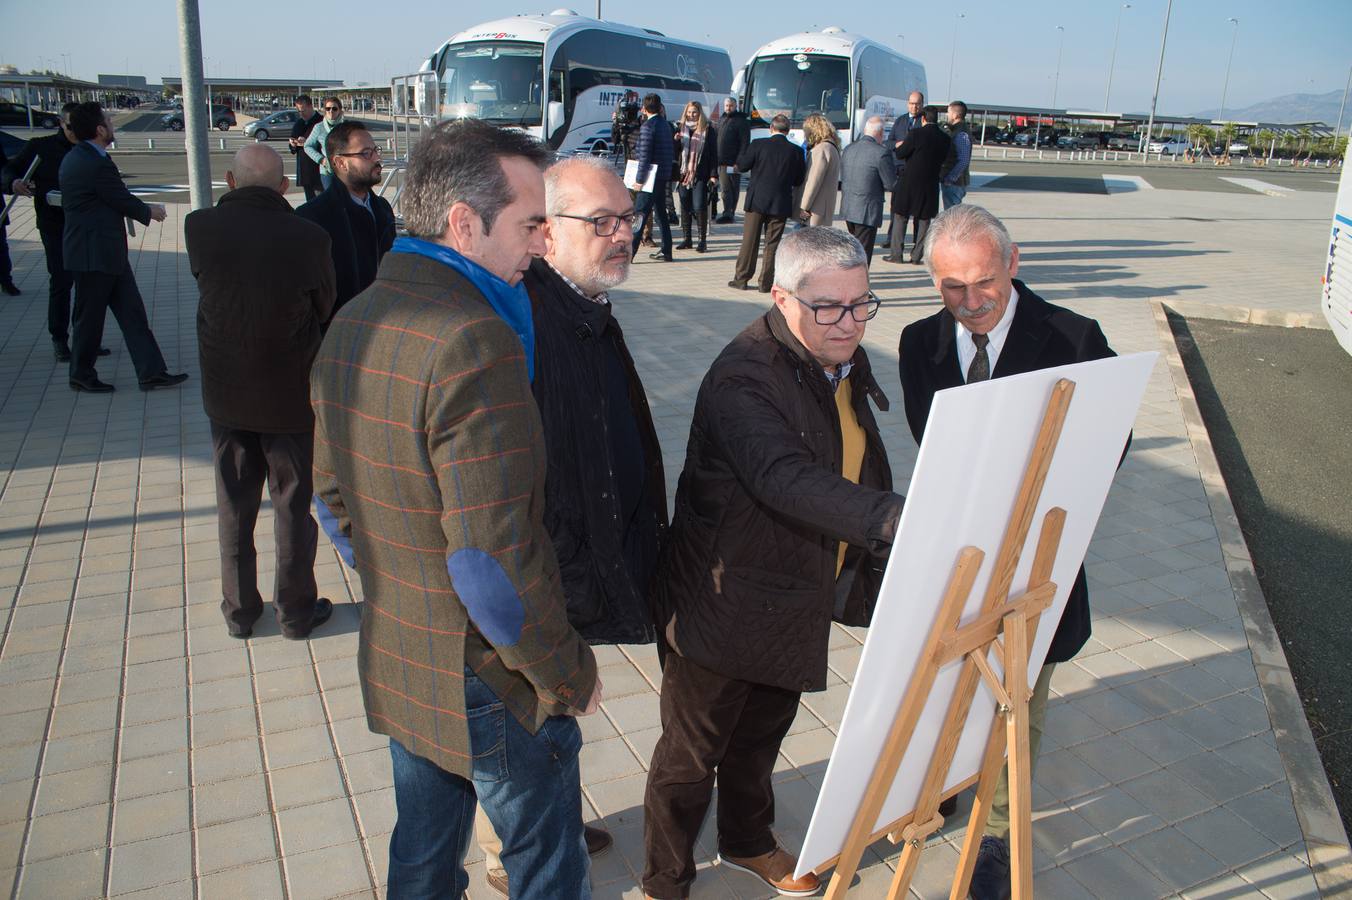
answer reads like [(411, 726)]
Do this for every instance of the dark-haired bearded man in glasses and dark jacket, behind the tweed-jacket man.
[(360, 222)]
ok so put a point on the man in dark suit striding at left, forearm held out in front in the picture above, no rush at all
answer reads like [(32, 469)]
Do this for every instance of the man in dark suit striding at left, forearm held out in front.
[(97, 203)]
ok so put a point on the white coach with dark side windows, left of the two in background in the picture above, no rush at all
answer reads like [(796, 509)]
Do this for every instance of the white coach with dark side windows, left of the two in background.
[(560, 76)]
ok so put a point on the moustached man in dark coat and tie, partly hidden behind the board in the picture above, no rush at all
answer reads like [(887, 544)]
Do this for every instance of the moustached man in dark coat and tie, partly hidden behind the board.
[(993, 326)]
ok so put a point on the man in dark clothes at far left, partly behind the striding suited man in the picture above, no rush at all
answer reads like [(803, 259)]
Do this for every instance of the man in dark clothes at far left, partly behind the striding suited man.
[(49, 151)]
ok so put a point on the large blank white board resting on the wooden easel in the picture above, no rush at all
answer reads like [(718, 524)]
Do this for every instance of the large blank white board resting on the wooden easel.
[(978, 444)]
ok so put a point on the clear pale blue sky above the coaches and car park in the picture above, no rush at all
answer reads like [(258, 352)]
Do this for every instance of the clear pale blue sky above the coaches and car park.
[(1007, 52)]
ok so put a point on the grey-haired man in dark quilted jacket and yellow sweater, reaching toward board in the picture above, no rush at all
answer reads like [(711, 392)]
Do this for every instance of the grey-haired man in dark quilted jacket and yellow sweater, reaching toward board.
[(783, 514)]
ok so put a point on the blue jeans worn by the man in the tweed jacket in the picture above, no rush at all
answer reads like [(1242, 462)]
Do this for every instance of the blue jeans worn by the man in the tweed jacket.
[(531, 790)]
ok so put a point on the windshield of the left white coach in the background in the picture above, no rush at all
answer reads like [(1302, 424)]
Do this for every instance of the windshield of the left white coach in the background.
[(497, 82)]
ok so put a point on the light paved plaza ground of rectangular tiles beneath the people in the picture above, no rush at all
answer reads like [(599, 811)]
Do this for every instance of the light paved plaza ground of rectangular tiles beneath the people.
[(145, 753)]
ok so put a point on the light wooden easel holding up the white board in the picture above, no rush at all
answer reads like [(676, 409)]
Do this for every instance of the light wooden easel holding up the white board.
[(1016, 618)]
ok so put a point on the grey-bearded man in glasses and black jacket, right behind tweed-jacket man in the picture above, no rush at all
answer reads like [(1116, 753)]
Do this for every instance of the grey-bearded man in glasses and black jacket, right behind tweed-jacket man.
[(605, 491)]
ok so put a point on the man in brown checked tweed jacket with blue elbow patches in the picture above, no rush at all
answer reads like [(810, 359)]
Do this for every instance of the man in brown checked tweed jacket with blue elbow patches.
[(429, 474)]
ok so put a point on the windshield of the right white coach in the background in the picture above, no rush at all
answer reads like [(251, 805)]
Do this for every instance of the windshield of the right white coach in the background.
[(798, 86)]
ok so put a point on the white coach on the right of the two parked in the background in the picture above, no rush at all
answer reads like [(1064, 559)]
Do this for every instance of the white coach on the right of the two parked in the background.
[(847, 78)]
